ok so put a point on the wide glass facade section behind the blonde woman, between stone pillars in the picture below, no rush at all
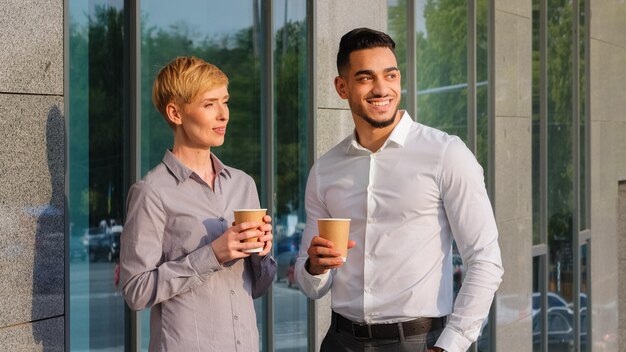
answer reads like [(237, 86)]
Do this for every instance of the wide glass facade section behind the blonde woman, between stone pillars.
[(235, 36)]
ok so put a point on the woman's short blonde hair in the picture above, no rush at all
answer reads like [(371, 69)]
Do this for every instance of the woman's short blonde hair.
[(181, 80)]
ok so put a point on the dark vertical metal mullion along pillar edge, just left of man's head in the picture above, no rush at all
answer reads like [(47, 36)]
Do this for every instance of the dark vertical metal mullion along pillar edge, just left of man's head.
[(311, 9)]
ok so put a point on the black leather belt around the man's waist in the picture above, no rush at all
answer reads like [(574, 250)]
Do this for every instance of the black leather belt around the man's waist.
[(388, 331)]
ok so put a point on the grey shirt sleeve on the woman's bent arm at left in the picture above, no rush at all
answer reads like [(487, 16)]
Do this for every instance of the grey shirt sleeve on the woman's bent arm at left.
[(145, 278)]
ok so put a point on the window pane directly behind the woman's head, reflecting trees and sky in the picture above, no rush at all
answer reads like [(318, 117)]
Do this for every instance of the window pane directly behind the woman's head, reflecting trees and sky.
[(227, 34)]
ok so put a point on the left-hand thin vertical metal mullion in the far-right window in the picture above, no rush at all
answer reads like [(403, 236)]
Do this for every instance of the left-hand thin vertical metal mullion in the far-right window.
[(543, 167)]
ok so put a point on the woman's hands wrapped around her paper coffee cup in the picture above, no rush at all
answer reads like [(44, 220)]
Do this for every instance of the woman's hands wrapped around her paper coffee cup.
[(229, 246)]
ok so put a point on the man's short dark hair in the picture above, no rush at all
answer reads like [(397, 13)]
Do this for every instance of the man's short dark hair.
[(359, 39)]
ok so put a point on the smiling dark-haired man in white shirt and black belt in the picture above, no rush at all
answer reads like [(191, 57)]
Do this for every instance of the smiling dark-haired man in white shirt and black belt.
[(410, 190)]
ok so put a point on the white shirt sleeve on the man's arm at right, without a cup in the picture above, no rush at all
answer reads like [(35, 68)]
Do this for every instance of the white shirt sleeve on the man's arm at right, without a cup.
[(474, 229)]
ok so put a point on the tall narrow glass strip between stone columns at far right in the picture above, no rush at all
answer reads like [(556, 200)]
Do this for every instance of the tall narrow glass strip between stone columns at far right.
[(560, 176)]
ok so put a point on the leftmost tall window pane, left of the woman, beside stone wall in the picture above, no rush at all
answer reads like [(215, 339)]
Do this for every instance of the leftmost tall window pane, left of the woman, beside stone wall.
[(97, 135)]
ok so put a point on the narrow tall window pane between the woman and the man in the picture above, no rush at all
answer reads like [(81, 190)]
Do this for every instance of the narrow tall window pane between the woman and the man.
[(292, 165)]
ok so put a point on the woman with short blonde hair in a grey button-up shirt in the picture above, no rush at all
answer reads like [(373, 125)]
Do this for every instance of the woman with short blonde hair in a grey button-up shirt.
[(179, 256)]
